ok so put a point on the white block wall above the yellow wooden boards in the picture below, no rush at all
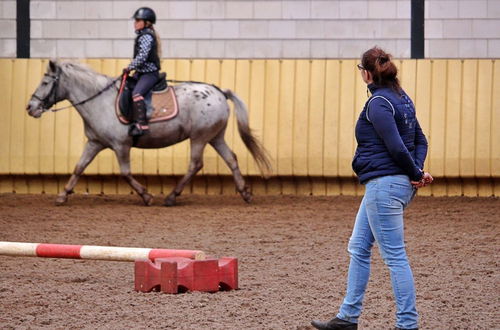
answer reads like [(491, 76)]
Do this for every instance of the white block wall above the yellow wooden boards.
[(256, 28)]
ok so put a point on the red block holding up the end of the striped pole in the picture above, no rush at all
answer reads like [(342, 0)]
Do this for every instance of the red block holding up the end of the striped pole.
[(174, 275)]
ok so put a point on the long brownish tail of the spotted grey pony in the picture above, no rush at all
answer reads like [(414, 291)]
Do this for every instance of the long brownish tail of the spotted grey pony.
[(255, 147)]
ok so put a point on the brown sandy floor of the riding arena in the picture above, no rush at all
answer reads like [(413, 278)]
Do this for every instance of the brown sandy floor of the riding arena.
[(292, 255)]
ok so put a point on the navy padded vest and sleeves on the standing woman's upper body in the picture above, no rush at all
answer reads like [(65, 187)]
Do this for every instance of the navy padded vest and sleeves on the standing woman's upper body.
[(390, 140)]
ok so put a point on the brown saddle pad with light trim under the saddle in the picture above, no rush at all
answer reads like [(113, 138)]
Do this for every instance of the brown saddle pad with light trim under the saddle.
[(163, 103)]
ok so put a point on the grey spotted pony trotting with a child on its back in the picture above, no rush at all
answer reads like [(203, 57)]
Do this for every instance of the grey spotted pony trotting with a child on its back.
[(202, 117)]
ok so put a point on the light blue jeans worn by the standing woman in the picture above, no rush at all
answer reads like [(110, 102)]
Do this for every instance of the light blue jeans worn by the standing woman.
[(380, 219)]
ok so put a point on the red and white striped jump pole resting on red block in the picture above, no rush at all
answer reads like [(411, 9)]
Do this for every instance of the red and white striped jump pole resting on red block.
[(111, 253)]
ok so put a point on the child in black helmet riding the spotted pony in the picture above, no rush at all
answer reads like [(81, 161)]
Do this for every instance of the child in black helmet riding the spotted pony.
[(146, 63)]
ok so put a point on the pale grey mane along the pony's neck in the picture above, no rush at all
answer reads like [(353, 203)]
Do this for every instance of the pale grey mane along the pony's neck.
[(86, 77)]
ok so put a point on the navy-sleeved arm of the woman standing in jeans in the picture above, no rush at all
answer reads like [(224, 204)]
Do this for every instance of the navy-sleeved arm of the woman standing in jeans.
[(382, 118)]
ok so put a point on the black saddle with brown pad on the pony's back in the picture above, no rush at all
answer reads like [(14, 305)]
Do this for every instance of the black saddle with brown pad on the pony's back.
[(161, 101)]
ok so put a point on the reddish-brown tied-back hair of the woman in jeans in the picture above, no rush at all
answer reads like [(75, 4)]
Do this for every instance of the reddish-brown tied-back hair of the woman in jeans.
[(379, 64)]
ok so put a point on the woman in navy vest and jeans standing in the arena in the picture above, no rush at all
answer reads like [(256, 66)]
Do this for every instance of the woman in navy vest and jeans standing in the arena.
[(389, 161)]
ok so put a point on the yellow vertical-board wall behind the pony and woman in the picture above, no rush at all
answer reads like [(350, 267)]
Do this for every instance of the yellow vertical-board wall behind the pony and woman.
[(304, 112)]
